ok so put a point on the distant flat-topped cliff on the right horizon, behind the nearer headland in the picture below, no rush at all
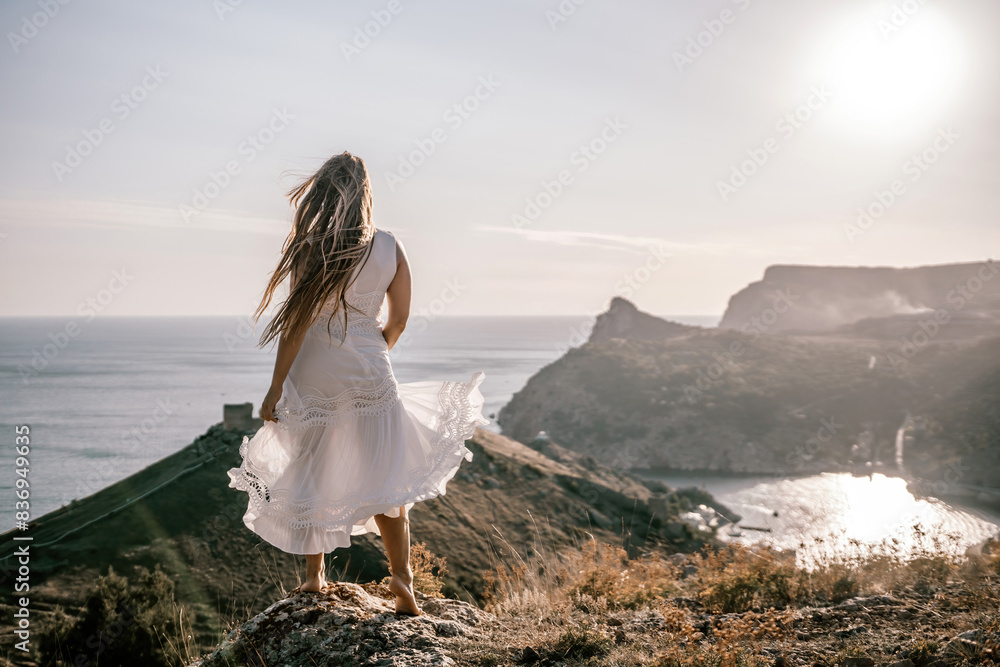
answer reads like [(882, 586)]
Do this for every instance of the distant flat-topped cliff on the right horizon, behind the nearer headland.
[(821, 298)]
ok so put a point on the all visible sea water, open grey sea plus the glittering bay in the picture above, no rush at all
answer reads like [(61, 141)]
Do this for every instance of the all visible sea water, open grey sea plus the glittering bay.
[(107, 397)]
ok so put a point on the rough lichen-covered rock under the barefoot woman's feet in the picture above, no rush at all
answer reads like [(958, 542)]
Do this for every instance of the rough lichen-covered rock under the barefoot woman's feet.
[(348, 624)]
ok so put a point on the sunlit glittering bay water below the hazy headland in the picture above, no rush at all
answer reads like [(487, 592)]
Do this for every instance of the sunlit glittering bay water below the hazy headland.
[(838, 515)]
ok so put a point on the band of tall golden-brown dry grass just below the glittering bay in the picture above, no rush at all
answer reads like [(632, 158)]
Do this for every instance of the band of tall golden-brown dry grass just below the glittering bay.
[(733, 579)]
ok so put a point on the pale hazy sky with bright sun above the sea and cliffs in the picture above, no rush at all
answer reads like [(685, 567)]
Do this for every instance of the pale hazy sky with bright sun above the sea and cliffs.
[(534, 158)]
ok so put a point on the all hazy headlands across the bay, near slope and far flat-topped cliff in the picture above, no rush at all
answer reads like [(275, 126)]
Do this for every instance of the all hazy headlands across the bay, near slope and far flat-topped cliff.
[(811, 369)]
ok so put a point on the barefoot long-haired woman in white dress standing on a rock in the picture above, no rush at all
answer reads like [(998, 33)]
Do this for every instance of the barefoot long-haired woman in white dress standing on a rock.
[(345, 449)]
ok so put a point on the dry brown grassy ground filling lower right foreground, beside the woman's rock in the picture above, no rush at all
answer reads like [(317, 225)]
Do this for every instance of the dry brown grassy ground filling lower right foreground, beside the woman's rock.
[(735, 606)]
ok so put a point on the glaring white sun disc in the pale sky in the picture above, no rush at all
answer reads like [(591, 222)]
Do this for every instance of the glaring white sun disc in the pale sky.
[(893, 72)]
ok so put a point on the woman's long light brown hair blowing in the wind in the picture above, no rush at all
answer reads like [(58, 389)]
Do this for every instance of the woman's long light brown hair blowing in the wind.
[(330, 237)]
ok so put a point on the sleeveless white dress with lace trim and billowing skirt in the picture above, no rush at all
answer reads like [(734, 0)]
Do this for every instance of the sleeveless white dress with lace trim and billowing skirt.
[(350, 442)]
